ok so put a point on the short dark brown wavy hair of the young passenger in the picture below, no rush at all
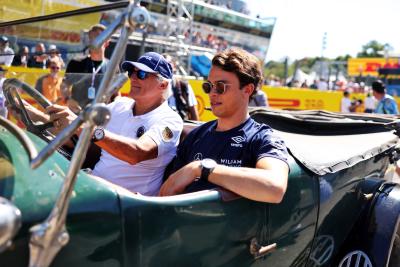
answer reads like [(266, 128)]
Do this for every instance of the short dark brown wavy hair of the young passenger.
[(246, 66)]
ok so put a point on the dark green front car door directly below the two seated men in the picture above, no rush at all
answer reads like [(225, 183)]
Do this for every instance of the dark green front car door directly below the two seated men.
[(199, 229)]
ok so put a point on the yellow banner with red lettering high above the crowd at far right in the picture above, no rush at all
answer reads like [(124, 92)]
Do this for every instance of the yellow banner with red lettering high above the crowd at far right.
[(369, 66)]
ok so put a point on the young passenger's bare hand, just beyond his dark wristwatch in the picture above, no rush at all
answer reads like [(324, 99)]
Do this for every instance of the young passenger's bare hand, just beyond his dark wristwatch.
[(179, 180)]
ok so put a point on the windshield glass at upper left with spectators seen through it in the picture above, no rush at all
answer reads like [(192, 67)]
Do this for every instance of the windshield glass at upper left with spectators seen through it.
[(53, 53)]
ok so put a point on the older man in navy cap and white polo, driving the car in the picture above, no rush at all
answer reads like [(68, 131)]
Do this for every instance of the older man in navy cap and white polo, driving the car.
[(143, 133)]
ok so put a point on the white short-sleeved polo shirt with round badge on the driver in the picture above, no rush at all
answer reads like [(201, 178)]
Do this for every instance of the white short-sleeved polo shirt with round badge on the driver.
[(162, 124)]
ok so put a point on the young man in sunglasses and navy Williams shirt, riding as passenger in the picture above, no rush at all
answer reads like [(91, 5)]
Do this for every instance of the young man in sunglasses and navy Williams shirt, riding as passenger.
[(234, 151)]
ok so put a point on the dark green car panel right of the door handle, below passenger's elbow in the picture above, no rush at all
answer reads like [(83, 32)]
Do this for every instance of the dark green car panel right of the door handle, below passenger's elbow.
[(292, 223)]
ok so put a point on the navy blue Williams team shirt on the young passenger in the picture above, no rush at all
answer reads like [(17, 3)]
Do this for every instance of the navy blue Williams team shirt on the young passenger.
[(241, 146)]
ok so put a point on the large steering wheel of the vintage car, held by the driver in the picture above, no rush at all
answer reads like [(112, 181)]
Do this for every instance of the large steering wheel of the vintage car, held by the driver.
[(11, 92)]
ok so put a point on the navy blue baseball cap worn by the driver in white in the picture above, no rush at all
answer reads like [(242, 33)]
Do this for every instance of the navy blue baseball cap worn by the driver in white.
[(150, 62)]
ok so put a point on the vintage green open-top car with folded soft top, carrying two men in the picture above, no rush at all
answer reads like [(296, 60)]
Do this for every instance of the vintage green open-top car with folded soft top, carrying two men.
[(341, 207)]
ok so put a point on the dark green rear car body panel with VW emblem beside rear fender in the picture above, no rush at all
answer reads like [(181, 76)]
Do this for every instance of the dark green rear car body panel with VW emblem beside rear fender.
[(340, 211)]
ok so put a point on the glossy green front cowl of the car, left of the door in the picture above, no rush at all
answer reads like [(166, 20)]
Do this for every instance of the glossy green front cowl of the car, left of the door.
[(94, 215)]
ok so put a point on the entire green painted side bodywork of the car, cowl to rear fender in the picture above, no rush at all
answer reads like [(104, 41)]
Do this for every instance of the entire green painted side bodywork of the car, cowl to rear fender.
[(111, 226)]
